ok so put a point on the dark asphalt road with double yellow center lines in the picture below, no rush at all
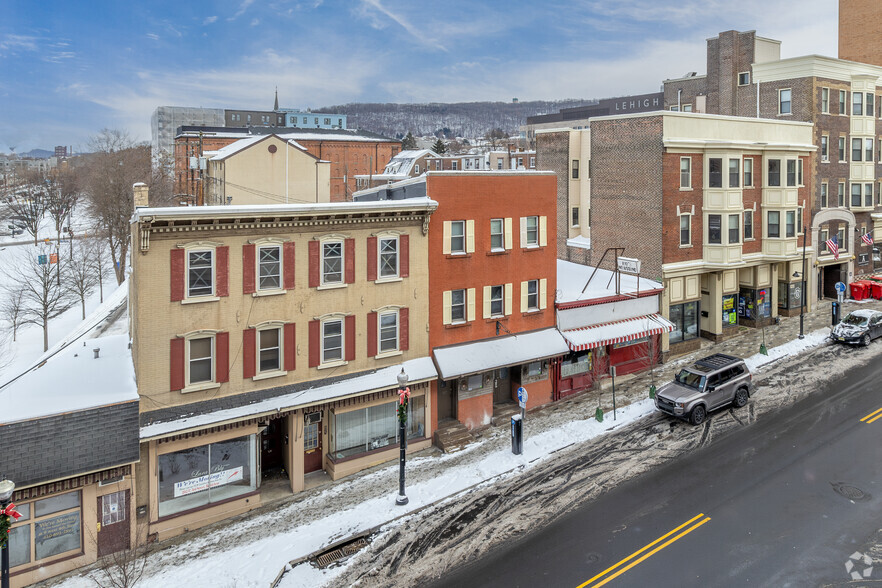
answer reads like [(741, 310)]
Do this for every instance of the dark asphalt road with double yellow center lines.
[(783, 502)]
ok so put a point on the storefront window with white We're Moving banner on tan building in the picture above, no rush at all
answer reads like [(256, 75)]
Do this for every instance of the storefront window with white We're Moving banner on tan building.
[(199, 476)]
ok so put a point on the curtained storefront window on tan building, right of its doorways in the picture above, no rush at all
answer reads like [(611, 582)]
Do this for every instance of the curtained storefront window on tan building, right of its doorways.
[(375, 427)]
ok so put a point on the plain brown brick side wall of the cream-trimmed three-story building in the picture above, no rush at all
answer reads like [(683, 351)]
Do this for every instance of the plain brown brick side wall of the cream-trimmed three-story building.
[(626, 184)]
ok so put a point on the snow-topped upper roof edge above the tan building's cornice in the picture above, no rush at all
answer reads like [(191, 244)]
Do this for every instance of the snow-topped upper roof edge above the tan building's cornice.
[(234, 210)]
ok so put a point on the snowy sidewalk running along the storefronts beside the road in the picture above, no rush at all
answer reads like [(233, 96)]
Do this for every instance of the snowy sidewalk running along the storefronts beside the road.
[(253, 549)]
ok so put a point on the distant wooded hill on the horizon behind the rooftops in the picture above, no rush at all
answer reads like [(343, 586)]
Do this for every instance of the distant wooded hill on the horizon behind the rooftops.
[(458, 119)]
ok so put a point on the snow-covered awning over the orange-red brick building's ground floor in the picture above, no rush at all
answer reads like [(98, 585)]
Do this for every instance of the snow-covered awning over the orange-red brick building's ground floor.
[(471, 358)]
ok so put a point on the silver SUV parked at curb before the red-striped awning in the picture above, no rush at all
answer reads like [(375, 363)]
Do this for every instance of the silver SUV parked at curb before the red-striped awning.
[(710, 383)]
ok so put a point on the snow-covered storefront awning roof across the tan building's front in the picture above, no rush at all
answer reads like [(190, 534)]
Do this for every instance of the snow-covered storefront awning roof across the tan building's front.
[(417, 370)]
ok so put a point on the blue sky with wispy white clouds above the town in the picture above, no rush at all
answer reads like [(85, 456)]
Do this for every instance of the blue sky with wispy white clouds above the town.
[(70, 68)]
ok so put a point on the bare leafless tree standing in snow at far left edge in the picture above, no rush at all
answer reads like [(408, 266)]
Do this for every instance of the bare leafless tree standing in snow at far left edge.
[(42, 298)]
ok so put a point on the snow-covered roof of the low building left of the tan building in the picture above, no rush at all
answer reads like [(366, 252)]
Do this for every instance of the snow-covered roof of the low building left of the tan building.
[(68, 378)]
